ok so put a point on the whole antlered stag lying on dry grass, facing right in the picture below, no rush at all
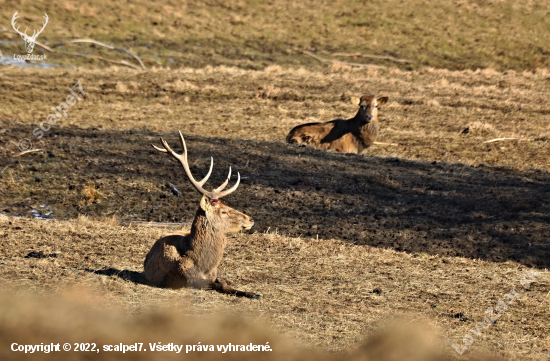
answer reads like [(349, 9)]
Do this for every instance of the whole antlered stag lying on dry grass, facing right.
[(192, 260)]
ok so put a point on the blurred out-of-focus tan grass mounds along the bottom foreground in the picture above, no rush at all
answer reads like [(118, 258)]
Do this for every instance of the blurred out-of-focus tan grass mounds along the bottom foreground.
[(98, 333)]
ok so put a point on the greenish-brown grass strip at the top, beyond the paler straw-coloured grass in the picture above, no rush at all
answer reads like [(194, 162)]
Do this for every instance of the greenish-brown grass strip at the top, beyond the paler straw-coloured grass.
[(451, 34)]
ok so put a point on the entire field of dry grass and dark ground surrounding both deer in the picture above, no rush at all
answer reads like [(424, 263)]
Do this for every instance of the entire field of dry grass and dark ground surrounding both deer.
[(429, 229)]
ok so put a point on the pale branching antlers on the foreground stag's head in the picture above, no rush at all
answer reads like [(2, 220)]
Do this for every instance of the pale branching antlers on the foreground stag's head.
[(216, 193)]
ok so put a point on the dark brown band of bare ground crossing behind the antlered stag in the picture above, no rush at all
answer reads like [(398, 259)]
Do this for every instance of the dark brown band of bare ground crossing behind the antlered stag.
[(495, 214)]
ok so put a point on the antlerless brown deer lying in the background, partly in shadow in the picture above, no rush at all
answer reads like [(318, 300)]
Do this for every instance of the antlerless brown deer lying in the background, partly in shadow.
[(344, 136)]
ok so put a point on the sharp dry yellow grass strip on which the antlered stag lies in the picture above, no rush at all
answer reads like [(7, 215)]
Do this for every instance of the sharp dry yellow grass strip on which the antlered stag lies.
[(325, 294)]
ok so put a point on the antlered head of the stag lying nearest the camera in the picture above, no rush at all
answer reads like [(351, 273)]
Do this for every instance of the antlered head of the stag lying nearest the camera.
[(220, 217)]
